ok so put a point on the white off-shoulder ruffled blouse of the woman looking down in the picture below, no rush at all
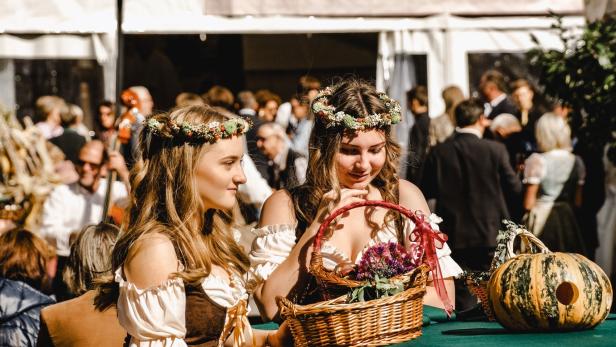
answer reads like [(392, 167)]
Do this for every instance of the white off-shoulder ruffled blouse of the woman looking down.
[(273, 244)]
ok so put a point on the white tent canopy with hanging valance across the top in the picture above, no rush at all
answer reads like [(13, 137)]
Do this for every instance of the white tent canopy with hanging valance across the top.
[(31, 29)]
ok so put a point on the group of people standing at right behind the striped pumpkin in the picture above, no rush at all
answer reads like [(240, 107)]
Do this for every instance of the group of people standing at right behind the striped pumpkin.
[(527, 171)]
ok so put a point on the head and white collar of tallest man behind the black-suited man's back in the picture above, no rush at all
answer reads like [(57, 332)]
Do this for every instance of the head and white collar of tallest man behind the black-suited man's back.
[(492, 86)]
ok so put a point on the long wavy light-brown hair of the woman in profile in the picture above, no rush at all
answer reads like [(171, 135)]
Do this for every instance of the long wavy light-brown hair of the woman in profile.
[(164, 198)]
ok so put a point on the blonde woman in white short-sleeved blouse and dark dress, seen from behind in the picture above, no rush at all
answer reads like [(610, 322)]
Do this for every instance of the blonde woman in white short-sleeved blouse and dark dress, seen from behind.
[(553, 181)]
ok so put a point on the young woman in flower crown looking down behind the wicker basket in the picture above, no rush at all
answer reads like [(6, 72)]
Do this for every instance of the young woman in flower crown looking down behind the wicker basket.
[(352, 157)]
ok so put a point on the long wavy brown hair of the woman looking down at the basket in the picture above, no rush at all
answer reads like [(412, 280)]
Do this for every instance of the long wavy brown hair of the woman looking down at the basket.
[(358, 99)]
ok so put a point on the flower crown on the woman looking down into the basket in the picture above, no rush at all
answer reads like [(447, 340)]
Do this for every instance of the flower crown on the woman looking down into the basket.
[(322, 108)]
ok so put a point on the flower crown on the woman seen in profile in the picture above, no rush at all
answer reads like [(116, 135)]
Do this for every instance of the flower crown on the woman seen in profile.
[(209, 132)]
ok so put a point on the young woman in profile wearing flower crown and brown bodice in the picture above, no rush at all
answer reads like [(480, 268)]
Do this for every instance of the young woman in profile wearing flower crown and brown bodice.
[(179, 276)]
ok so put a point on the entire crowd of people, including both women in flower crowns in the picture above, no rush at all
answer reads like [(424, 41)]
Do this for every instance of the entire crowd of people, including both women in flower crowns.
[(222, 196)]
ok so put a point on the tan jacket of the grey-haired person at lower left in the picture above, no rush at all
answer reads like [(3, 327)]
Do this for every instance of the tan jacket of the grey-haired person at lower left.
[(76, 322)]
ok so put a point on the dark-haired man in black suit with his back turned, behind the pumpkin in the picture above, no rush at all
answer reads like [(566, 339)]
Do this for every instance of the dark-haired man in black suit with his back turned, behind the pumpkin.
[(470, 178)]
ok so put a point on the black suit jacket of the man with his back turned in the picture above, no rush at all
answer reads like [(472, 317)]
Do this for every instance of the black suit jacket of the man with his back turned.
[(470, 178)]
